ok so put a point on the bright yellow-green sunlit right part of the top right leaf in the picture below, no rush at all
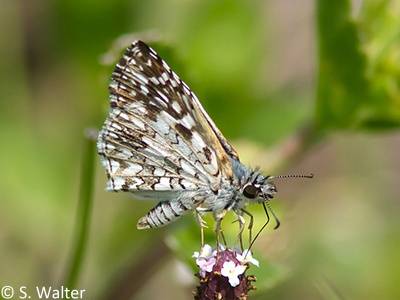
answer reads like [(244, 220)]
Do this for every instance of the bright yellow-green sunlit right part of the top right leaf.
[(380, 28)]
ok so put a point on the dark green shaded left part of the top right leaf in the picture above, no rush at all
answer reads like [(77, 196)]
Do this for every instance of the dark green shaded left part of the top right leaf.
[(342, 89)]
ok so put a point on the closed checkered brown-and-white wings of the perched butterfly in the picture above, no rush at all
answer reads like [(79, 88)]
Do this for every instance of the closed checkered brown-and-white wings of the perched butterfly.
[(157, 136)]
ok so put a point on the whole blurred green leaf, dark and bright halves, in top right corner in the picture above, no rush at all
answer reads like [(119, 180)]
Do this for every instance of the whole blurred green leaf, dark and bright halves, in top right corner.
[(358, 79)]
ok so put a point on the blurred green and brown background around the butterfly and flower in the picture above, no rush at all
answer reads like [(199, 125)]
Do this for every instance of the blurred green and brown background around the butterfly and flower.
[(264, 70)]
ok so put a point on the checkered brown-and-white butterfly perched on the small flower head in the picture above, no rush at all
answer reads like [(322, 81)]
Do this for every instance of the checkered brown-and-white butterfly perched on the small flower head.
[(159, 143)]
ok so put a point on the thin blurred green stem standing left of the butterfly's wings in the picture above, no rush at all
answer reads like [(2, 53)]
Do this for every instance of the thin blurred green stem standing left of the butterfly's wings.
[(83, 212)]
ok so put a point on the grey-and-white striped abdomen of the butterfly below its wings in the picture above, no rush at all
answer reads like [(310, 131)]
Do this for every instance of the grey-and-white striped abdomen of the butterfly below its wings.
[(163, 213)]
